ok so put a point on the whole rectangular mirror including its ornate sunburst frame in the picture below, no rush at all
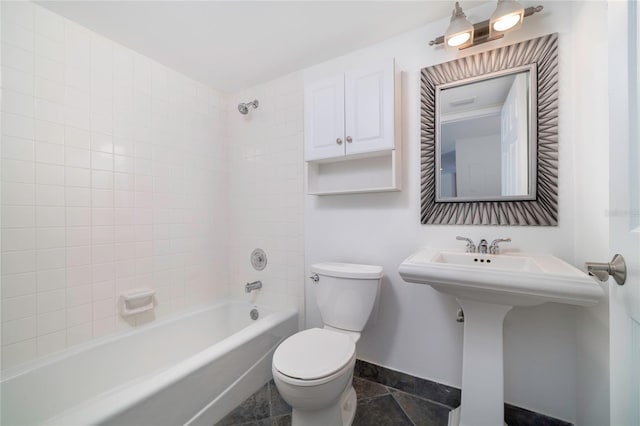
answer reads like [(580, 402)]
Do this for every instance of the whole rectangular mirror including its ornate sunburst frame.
[(489, 137)]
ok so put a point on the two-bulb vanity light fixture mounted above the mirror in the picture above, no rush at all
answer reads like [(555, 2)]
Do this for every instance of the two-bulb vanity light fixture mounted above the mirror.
[(461, 34)]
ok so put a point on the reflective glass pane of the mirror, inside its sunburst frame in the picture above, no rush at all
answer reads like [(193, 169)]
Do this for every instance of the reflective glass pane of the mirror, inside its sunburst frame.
[(484, 137)]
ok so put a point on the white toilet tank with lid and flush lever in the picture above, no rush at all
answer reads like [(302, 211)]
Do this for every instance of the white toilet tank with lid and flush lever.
[(346, 293)]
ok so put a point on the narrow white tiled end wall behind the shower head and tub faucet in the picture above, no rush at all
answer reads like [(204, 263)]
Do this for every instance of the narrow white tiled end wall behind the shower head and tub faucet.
[(265, 192)]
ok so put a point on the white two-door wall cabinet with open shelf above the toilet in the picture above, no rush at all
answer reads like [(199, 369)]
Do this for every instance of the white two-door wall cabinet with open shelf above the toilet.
[(351, 133)]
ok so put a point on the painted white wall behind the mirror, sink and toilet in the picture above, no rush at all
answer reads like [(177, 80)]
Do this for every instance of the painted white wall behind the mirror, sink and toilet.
[(414, 329)]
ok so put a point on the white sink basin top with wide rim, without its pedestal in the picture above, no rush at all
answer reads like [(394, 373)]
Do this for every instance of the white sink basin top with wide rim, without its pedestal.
[(506, 279)]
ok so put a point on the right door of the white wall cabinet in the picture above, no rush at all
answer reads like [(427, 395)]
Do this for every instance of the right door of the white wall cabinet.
[(369, 108)]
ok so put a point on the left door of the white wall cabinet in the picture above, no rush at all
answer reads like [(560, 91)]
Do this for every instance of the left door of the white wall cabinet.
[(324, 119)]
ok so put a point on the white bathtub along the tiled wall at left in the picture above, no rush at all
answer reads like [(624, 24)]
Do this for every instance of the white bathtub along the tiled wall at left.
[(192, 369)]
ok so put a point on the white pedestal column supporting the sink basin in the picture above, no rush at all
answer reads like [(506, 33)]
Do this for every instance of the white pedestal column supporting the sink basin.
[(482, 367)]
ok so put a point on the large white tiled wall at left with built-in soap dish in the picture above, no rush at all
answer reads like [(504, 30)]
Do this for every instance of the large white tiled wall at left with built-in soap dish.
[(114, 176)]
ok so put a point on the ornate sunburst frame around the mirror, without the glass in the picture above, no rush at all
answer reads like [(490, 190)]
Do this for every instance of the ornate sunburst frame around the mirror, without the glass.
[(539, 206)]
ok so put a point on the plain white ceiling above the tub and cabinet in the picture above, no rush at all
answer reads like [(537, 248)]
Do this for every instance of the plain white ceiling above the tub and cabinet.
[(232, 45)]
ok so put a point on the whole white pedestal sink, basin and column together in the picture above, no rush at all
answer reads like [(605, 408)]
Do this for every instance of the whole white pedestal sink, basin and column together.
[(487, 286)]
